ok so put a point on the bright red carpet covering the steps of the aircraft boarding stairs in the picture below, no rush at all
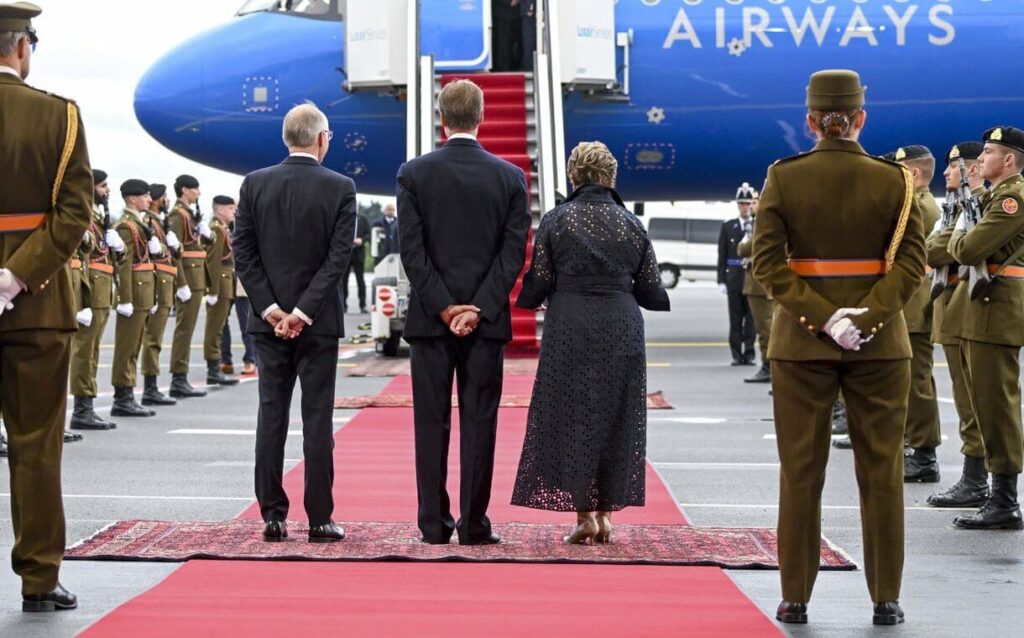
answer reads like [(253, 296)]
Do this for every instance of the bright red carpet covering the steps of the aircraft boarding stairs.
[(504, 134)]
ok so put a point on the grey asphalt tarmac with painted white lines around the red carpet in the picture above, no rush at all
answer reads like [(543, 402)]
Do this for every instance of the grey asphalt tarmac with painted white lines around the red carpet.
[(716, 451)]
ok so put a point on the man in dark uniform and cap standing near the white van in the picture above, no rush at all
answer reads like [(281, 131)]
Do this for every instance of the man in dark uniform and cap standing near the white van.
[(731, 282)]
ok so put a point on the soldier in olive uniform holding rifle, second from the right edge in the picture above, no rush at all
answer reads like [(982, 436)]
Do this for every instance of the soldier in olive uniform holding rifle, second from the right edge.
[(948, 324)]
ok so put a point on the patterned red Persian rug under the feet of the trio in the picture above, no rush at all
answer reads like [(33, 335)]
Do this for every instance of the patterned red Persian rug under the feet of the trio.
[(739, 548)]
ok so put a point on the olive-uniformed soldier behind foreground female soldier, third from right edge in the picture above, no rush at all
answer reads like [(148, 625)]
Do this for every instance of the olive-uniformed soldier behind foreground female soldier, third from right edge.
[(923, 430)]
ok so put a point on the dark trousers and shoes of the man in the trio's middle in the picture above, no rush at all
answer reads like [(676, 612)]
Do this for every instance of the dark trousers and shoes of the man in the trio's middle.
[(477, 365)]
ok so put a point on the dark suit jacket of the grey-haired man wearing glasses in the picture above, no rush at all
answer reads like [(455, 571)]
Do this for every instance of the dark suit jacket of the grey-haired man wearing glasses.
[(293, 239)]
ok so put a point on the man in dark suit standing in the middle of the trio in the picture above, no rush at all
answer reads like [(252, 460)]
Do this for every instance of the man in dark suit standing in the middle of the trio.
[(465, 218)]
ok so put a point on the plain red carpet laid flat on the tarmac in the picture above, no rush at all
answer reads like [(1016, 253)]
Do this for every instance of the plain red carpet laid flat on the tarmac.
[(375, 482)]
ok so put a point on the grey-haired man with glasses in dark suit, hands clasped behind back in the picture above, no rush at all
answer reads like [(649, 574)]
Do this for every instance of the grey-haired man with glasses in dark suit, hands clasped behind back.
[(293, 238)]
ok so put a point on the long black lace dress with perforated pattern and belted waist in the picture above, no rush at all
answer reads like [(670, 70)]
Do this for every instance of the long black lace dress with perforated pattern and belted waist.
[(587, 429)]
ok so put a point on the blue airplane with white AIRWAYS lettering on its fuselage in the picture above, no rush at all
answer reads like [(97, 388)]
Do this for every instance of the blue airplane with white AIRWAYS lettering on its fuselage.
[(716, 89)]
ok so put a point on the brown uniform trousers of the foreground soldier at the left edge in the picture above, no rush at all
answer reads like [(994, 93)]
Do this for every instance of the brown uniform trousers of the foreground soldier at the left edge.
[(34, 368)]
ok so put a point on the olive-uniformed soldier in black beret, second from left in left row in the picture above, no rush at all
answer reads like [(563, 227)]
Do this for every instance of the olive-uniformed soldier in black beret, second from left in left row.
[(137, 296)]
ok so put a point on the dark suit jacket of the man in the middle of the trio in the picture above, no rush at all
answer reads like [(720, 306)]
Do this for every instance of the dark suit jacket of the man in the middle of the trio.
[(464, 218)]
